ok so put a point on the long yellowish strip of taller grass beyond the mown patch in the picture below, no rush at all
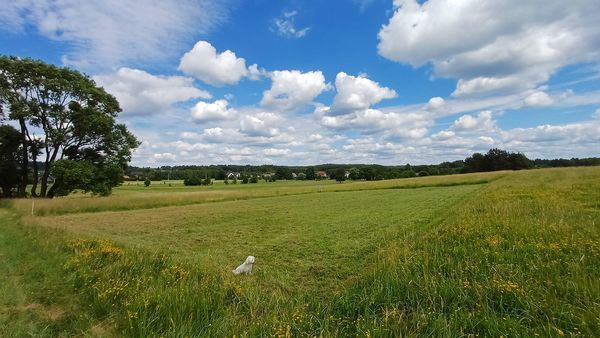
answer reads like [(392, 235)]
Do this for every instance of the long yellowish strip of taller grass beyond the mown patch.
[(134, 197)]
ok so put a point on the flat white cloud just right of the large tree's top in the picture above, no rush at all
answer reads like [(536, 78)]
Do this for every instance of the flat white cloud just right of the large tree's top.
[(139, 92)]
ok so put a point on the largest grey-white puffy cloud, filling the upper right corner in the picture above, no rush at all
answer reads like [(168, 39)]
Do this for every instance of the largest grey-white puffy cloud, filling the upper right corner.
[(516, 45)]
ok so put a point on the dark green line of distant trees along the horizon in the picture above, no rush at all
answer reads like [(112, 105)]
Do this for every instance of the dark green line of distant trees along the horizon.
[(495, 159)]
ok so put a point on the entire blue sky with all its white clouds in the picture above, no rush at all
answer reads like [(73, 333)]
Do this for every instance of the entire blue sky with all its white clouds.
[(348, 81)]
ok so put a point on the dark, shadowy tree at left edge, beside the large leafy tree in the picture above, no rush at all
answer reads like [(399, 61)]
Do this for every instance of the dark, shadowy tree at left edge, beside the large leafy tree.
[(10, 140)]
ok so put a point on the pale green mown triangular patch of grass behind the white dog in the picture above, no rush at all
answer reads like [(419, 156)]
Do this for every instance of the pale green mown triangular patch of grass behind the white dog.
[(325, 237)]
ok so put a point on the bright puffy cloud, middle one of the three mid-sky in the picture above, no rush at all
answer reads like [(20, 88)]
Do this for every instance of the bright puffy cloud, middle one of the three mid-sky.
[(292, 89)]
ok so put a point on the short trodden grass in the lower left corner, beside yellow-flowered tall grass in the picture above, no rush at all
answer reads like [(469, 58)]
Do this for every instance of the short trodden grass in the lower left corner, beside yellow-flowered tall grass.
[(36, 297)]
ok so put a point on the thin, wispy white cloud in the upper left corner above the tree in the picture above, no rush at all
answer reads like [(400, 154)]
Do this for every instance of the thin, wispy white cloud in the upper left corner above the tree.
[(106, 34)]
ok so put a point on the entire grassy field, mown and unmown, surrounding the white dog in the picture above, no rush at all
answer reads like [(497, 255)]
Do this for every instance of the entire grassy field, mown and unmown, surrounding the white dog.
[(498, 254)]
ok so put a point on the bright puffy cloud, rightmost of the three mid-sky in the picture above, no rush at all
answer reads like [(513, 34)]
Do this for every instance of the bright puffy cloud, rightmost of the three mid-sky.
[(357, 93)]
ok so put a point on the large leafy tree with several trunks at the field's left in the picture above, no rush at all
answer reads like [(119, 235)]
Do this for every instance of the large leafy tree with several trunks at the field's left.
[(81, 144)]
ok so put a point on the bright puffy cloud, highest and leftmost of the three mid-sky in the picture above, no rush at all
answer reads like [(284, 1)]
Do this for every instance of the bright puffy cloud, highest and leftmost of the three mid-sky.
[(217, 69)]
